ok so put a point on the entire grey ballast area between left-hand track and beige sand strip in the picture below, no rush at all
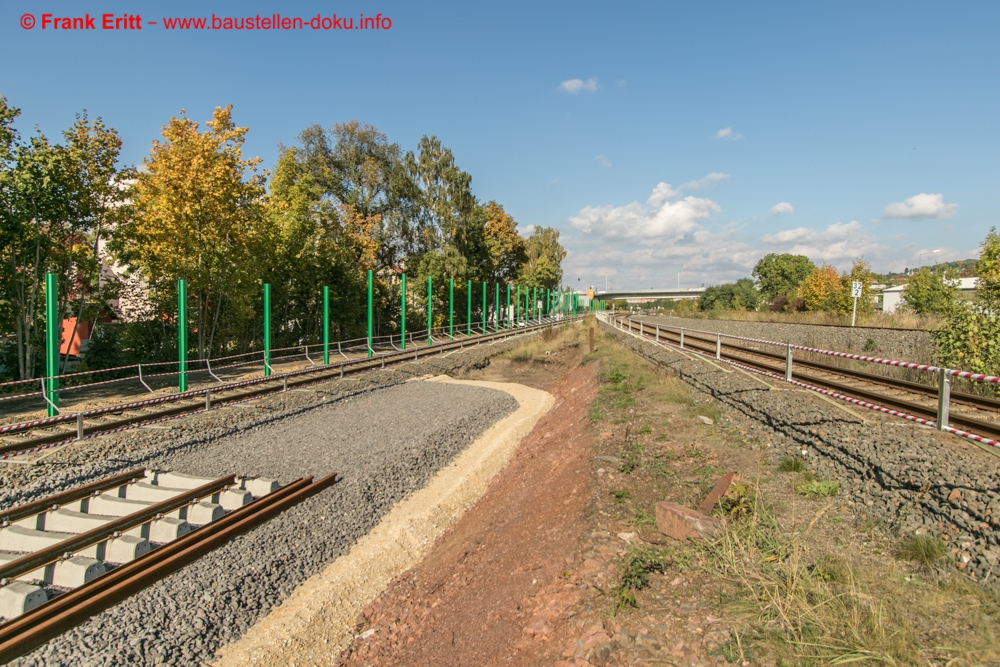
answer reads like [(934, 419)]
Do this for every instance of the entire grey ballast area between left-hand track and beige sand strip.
[(385, 436)]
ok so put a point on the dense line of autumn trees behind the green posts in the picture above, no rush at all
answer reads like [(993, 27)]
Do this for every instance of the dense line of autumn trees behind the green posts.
[(339, 202)]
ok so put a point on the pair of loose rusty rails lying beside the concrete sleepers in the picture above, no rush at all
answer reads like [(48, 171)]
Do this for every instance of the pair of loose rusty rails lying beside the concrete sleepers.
[(51, 619)]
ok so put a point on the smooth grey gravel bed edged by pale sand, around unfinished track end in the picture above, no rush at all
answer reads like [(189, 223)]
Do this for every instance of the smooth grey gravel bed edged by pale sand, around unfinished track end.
[(384, 443)]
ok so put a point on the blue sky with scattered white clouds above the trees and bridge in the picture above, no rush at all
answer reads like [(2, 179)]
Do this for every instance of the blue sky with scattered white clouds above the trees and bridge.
[(659, 138)]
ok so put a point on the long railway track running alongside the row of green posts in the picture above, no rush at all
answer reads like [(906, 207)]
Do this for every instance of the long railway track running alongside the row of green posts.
[(39, 434)]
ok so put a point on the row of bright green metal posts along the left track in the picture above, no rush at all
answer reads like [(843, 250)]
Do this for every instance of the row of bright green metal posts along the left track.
[(553, 302)]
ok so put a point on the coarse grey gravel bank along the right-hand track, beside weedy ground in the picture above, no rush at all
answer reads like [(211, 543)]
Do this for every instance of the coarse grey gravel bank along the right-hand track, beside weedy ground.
[(913, 478)]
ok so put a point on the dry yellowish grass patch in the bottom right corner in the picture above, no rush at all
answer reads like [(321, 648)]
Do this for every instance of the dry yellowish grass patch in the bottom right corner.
[(799, 609)]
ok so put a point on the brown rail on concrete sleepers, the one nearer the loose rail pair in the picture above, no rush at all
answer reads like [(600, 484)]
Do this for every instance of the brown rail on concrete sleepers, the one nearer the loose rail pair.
[(111, 529)]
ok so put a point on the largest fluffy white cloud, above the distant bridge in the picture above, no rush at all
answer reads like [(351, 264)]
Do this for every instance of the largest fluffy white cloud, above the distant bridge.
[(659, 218)]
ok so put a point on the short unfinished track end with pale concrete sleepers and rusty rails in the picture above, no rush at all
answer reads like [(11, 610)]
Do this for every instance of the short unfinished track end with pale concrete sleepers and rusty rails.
[(70, 556)]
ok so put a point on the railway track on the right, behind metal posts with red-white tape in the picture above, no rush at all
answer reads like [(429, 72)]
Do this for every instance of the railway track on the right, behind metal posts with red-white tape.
[(978, 415)]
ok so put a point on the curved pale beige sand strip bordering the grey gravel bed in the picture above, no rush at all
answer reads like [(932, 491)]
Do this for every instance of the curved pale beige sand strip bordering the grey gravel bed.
[(318, 619)]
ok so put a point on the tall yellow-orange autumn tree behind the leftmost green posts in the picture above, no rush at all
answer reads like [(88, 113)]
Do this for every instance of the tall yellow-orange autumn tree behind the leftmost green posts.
[(197, 213)]
